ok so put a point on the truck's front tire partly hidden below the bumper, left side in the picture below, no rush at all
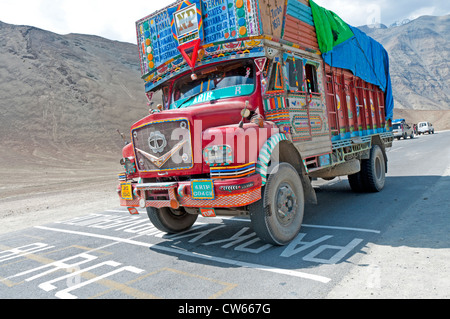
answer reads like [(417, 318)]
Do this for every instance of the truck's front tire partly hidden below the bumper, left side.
[(171, 220)]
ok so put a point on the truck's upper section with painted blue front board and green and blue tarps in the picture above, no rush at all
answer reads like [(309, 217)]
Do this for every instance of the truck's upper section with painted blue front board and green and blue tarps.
[(193, 33)]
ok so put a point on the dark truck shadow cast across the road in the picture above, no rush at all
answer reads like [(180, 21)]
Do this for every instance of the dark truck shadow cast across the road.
[(411, 211)]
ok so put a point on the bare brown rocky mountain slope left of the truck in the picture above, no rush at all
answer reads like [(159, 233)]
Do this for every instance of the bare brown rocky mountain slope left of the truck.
[(67, 90)]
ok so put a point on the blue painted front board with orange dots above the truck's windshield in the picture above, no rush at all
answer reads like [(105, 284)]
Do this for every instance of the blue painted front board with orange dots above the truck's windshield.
[(213, 21)]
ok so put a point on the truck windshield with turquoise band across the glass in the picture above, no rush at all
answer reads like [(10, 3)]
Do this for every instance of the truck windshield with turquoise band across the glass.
[(213, 83)]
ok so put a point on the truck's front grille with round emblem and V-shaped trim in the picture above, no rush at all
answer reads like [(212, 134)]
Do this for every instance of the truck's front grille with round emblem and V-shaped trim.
[(163, 145)]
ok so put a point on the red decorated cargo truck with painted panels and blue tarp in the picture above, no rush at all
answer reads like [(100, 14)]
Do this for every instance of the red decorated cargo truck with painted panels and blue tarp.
[(259, 97)]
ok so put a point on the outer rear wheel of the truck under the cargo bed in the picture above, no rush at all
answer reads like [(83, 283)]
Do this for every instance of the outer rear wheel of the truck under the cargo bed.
[(373, 170)]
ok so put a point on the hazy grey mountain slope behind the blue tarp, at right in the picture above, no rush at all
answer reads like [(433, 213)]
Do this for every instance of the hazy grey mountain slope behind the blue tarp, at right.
[(419, 54)]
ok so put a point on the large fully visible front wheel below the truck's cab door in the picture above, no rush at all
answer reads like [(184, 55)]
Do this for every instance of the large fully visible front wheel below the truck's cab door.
[(278, 216)]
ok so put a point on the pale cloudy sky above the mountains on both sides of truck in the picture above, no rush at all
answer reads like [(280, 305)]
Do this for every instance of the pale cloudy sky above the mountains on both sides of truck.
[(115, 20)]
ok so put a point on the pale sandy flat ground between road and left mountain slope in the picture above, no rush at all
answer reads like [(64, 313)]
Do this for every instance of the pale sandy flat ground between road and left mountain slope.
[(40, 185)]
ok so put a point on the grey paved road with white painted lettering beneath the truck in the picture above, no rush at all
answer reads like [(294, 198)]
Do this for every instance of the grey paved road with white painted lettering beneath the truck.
[(388, 245)]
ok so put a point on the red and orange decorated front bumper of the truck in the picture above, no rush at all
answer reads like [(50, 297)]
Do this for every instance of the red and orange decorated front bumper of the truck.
[(228, 193)]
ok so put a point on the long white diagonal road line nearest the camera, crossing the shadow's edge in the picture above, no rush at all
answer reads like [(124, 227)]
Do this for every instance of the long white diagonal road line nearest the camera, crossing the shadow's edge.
[(195, 255)]
